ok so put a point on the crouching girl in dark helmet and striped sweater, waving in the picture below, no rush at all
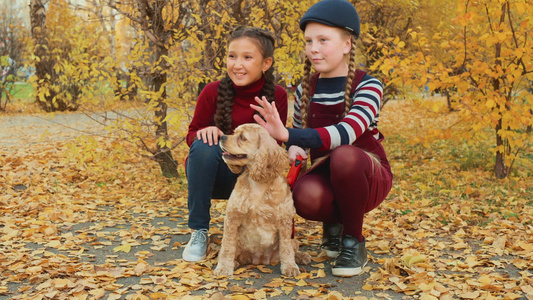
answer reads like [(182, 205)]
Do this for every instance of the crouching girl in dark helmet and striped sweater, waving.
[(336, 116)]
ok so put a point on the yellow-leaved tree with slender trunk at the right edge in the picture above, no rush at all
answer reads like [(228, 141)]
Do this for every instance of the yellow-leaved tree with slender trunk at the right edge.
[(486, 67)]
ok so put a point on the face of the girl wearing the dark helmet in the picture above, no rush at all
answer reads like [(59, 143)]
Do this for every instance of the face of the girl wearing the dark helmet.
[(326, 47)]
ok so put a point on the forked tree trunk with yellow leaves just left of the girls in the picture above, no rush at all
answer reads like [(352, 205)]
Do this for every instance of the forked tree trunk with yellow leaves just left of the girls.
[(163, 24)]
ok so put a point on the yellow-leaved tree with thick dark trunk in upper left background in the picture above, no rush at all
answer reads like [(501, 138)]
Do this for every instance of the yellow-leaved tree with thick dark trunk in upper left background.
[(65, 51)]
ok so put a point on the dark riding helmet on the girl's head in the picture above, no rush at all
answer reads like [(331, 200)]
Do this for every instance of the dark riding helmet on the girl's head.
[(336, 13)]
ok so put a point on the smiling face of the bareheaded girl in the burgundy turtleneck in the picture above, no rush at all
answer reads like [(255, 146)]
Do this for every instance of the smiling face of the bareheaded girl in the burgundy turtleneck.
[(245, 62)]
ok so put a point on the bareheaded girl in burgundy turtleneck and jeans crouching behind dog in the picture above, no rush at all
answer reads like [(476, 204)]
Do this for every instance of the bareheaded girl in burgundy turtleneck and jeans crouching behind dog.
[(221, 107)]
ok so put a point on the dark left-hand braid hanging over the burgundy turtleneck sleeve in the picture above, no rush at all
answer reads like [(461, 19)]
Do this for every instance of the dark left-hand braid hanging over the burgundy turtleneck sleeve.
[(225, 101)]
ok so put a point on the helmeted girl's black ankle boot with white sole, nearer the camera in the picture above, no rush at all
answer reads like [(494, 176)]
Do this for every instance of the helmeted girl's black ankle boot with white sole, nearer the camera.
[(351, 259)]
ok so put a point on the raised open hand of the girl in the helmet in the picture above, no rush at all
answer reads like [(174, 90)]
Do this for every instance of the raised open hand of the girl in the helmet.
[(272, 122)]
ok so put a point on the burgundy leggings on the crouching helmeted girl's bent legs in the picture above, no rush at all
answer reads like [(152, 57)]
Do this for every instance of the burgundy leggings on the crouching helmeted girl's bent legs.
[(341, 189)]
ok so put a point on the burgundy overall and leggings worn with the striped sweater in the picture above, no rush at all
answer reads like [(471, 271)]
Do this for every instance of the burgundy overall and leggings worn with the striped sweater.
[(346, 184)]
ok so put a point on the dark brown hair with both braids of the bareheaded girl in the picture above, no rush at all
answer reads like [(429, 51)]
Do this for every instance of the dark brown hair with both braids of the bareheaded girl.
[(226, 93)]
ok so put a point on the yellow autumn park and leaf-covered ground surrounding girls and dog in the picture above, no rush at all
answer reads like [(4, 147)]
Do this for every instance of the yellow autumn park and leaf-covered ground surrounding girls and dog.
[(96, 97)]
